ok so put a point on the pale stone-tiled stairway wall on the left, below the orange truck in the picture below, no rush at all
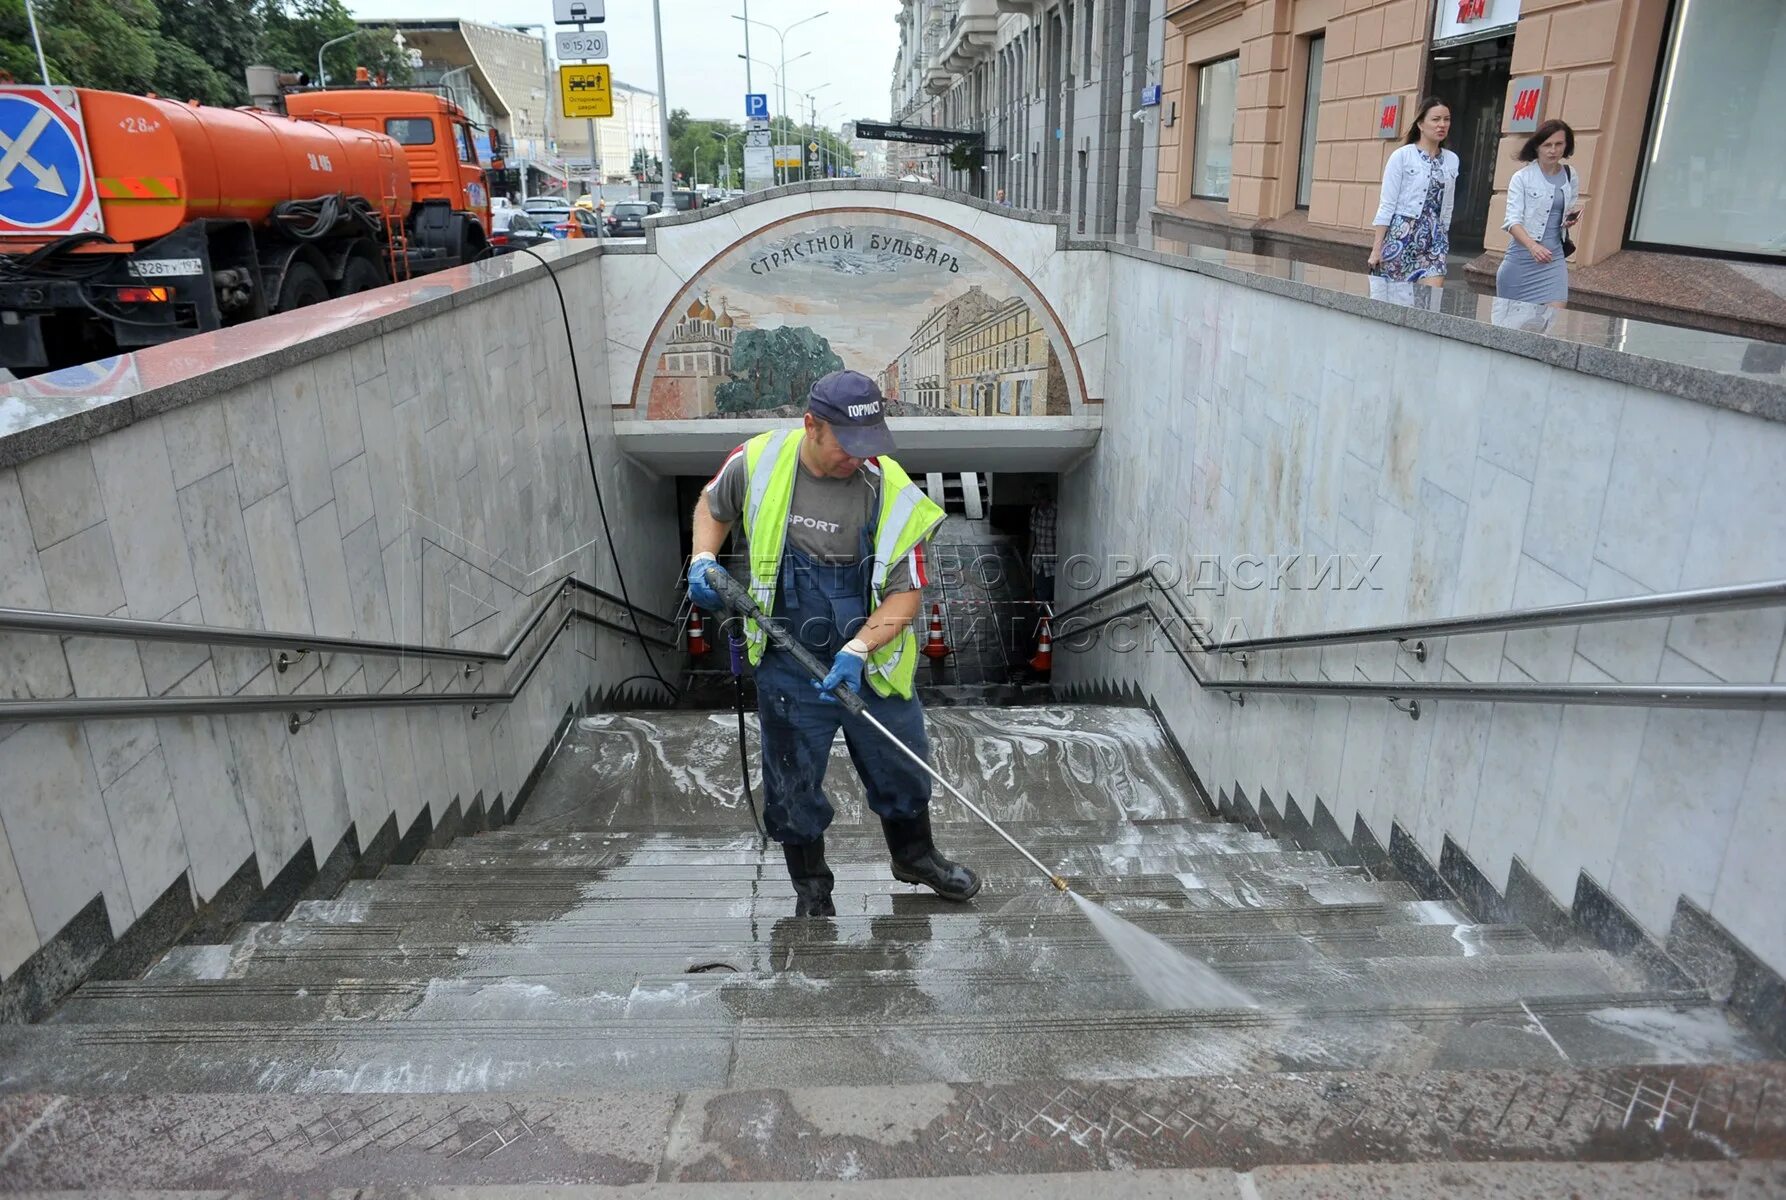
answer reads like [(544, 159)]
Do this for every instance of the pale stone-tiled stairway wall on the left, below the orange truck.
[(424, 485)]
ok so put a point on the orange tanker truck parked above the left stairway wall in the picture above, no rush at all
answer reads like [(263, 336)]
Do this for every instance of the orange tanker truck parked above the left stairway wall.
[(133, 221)]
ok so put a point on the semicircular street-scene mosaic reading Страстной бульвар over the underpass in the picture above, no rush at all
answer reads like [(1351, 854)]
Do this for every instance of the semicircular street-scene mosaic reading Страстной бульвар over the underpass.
[(939, 319)]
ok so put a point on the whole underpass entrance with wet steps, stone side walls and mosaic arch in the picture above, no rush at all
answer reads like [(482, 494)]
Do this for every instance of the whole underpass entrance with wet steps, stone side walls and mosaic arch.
[(383, 810)]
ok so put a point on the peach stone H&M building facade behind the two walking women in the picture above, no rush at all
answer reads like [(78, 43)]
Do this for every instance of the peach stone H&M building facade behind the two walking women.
[(1283, 113)]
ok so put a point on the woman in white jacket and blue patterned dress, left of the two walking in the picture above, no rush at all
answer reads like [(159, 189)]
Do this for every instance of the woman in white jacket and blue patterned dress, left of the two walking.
[(1412, 229)]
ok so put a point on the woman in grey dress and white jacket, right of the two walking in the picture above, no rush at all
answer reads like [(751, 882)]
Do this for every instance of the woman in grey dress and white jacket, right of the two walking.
[(1544, 201)]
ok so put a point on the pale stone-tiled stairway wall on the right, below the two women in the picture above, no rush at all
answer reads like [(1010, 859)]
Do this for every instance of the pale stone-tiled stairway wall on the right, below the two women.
[(1248, 424)]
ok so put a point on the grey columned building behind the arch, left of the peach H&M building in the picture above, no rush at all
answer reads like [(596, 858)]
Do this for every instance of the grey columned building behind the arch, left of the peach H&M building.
[(1060, 92)]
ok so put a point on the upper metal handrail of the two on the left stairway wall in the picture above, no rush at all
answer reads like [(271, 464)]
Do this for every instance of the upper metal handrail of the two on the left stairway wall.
[(85, 626)]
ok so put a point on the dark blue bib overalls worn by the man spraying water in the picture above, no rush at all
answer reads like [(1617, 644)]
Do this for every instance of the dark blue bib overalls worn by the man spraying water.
[(824, 606)]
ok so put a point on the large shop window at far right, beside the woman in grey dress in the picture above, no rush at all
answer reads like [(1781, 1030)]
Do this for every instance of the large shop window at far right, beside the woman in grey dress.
[(1714, 176)]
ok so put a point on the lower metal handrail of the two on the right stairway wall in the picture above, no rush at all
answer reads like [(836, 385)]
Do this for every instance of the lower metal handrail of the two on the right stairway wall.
[(1406, 696)]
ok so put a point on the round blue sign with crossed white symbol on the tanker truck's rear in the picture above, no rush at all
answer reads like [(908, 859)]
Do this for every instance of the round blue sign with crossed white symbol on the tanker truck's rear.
[(46, 172)]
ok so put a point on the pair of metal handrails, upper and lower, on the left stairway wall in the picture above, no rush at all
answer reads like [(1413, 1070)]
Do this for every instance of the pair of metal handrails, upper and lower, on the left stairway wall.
[(296, 647)]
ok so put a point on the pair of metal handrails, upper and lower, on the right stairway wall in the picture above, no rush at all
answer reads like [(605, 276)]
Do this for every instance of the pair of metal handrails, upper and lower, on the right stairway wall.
[(1072, 626)]
